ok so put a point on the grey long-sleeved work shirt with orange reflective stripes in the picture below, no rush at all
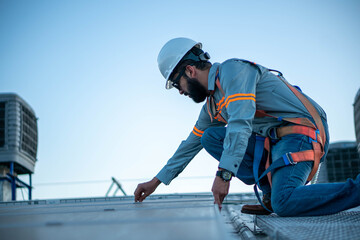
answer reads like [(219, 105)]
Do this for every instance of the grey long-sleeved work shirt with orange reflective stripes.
[(247, 87)]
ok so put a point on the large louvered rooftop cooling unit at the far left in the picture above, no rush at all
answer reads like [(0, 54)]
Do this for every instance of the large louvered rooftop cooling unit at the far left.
[(18, 134)]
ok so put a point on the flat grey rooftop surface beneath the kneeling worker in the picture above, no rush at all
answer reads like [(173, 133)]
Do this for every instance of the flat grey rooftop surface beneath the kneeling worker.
[(175, 216)]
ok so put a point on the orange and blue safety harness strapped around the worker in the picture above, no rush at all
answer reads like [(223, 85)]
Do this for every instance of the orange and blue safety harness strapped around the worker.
[(303, 126)]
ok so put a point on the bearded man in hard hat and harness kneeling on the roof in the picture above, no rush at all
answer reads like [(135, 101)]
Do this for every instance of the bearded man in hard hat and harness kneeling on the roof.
[(261, 130)]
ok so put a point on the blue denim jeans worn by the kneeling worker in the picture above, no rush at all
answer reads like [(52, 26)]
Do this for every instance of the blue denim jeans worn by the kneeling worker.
[(289, 195)]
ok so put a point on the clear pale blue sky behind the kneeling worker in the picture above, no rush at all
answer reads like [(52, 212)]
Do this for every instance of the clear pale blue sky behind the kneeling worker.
[(89, 70)]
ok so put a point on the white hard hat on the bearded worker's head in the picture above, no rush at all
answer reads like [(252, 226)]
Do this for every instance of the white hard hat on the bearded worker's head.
[(172, 53)]
